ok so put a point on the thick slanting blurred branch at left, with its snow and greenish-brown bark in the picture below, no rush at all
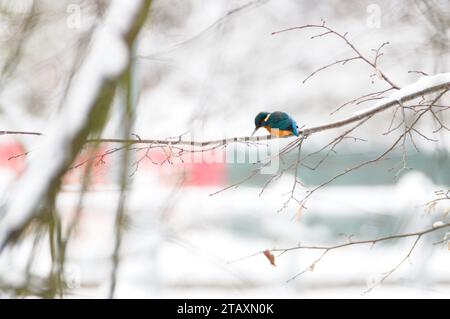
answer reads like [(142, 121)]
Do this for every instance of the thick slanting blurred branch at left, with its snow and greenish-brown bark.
[(84, 113)]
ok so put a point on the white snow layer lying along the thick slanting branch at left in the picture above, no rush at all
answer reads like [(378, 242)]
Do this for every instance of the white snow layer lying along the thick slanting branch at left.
[(107, 58)]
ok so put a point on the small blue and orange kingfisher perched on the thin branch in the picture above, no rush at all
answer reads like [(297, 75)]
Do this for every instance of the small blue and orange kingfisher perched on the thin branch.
[(278, 124)]
